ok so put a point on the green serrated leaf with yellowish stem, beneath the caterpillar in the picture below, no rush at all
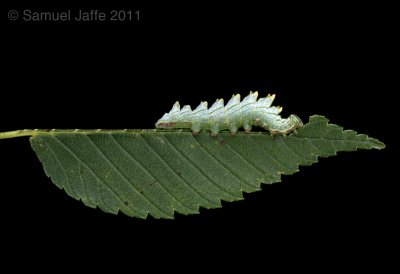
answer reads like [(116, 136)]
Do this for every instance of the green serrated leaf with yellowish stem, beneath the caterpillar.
[(141, 172)]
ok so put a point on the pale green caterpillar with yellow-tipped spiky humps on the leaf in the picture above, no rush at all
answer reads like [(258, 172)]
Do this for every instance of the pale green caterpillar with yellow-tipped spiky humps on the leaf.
[(247, 113)]
